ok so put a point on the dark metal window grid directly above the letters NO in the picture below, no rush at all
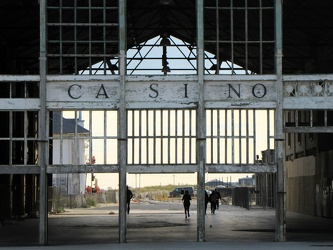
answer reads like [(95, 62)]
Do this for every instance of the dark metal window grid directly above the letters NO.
[(228, 19)]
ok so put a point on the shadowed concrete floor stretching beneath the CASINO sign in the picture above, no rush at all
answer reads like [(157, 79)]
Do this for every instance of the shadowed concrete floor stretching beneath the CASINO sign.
[(165, 223)]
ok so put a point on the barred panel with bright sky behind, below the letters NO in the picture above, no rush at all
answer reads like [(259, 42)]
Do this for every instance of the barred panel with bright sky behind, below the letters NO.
[(238, 137)]
